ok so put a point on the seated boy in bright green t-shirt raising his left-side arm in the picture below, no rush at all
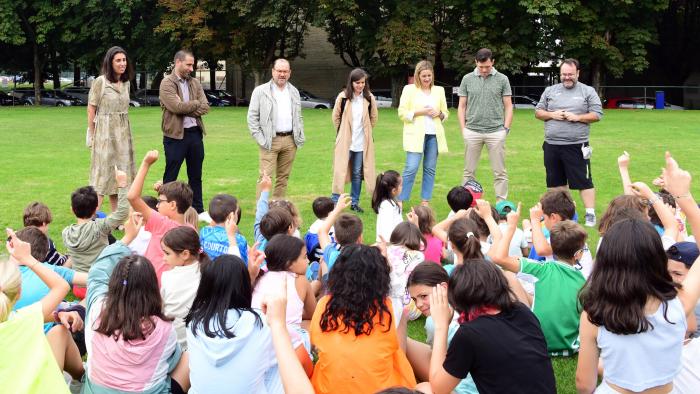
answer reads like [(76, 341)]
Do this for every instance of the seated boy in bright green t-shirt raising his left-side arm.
[(558, 282)]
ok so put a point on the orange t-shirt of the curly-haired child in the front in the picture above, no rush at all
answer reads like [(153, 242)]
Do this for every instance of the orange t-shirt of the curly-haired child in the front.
[(364, 364)]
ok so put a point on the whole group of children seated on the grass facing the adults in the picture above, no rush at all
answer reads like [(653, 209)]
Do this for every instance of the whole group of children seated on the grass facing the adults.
[(174, 308)]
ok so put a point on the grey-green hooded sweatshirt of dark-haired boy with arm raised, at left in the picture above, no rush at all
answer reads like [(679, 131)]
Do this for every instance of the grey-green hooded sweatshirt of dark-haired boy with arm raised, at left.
[(85, 241)]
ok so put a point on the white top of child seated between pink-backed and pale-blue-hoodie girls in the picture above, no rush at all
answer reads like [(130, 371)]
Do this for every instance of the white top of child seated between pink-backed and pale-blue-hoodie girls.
[(178, 289)]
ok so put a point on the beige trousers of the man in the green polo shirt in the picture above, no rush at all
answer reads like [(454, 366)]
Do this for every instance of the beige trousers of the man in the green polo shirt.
[(496, 145)]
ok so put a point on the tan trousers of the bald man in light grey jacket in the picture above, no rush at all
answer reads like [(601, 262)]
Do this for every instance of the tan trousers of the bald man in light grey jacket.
[(278, 162)]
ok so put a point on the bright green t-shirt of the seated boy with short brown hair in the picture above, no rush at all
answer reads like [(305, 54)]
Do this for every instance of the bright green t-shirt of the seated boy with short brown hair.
[(556, 303)]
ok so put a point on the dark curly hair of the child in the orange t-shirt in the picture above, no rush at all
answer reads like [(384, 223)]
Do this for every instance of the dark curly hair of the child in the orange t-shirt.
[(358, 286)]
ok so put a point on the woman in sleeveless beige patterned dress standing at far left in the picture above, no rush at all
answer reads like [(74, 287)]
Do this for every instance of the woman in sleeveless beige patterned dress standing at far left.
[(109, 132)]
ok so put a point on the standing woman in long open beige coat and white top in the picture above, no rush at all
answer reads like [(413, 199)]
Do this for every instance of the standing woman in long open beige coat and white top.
[(354, 116)]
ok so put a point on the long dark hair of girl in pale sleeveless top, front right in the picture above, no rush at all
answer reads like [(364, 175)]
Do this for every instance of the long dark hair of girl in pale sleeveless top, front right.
[(630, 268)]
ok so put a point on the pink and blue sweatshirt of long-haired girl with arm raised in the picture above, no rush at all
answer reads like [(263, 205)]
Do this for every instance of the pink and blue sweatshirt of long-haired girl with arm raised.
[(118, 366)]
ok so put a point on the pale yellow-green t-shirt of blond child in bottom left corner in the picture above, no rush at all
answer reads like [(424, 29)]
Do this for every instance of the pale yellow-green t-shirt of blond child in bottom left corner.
[(27, 364)]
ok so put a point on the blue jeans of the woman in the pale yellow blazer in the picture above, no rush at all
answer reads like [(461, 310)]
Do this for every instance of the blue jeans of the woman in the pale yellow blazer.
[(413, 159)]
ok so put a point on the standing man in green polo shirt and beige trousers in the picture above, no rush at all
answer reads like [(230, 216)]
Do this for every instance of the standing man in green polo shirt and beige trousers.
[(485, 113)]
